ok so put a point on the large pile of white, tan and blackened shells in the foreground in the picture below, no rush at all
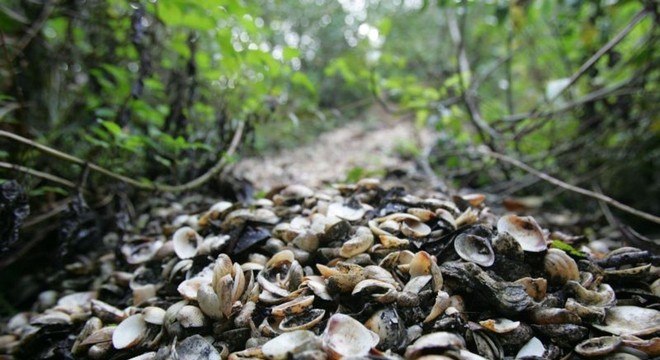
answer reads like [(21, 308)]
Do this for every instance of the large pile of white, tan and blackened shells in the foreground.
[(351, 271)]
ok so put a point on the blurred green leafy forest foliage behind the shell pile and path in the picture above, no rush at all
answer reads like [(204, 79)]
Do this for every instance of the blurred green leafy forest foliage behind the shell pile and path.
[(154, 90)]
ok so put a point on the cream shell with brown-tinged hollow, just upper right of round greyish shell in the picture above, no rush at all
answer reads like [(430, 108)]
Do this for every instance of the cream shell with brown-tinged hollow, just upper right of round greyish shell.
[(525, 230)]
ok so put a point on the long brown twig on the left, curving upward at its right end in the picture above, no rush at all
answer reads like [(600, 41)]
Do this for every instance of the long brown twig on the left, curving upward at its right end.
[(140, 185)]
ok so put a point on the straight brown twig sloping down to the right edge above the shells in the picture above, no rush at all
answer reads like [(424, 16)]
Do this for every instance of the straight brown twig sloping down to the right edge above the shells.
[(573, 188)]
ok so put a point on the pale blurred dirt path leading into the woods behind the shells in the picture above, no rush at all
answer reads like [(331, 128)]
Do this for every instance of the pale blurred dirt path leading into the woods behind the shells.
[(374, 147)]
